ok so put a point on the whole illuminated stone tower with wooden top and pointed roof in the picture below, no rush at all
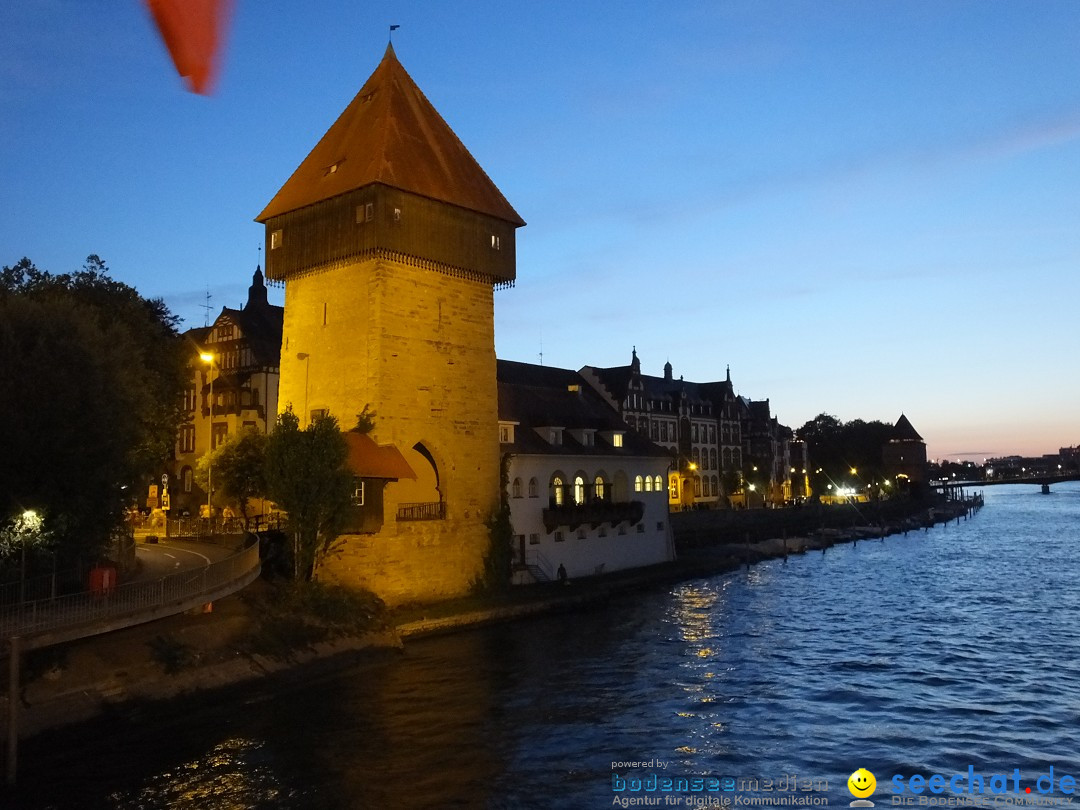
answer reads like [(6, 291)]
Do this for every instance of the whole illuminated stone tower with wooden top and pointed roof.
[(389, 239)]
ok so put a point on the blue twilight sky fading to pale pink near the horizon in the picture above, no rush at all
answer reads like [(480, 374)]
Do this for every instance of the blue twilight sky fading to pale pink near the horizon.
[(863, 208)]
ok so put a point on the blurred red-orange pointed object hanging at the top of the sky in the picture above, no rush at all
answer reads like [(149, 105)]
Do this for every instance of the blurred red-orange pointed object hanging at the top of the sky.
[(194, 32)]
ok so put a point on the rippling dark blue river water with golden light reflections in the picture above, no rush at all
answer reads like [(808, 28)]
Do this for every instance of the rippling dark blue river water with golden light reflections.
[(928, 654)]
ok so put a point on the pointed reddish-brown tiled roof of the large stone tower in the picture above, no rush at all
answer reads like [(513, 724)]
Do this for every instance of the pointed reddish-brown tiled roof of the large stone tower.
[(391, 134)]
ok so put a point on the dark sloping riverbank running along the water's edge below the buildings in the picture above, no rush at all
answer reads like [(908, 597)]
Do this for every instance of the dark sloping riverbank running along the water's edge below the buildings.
[(201, 652)]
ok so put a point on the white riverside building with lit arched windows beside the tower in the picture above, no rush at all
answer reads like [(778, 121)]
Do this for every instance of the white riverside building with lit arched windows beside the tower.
[(587, 494)]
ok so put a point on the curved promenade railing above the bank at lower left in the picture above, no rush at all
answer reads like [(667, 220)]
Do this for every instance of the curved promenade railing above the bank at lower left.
[(47, 622)]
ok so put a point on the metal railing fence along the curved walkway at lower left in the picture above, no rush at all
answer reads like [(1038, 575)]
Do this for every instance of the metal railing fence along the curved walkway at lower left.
[(42, 616)]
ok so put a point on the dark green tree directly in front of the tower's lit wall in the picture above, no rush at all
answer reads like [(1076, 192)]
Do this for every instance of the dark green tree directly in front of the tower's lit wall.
[(306, 475)]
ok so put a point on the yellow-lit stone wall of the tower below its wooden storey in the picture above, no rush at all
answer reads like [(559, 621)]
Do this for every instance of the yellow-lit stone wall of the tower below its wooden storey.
[(418, 346)]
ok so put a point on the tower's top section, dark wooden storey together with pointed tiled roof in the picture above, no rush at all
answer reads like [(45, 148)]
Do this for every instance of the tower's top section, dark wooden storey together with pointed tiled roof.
[(390, 178)]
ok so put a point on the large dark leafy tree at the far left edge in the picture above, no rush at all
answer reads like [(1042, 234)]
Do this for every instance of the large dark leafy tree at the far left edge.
[(91, 377)]
